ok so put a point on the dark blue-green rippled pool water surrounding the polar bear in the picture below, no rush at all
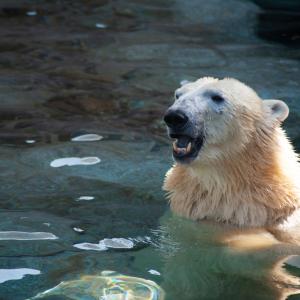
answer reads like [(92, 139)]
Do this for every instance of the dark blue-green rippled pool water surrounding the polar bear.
[(109, 69)]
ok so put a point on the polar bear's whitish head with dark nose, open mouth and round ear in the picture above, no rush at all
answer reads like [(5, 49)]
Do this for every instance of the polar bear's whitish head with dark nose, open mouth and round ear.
[(214, 119)]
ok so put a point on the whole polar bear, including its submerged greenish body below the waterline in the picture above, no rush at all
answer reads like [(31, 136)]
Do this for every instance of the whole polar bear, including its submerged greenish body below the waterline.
[(237, 172)]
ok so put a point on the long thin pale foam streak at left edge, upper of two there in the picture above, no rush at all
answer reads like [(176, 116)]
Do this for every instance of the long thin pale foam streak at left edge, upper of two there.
[(26, 236)]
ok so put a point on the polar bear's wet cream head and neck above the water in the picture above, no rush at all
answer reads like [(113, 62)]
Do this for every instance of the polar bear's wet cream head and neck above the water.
[(233, 161)]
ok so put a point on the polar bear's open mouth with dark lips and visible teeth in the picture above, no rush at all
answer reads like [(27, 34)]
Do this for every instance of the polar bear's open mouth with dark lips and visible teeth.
[(186, 148)]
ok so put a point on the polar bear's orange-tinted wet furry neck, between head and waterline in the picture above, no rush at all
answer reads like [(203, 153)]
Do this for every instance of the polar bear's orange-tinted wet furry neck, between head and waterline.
[(257, 187)]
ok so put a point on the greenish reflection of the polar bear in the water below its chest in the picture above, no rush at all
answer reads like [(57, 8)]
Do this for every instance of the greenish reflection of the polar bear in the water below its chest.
[(199, 265)]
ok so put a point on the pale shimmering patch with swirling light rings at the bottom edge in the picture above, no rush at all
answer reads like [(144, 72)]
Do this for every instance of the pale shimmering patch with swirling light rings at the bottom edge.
[(108, 286)]
